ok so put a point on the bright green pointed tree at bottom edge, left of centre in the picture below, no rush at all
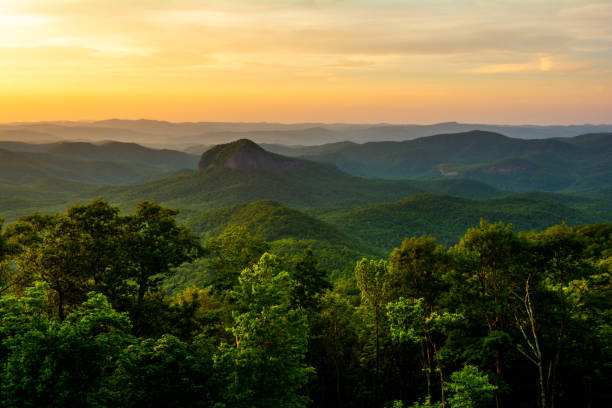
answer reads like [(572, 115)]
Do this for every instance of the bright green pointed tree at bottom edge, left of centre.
[(264, 364)]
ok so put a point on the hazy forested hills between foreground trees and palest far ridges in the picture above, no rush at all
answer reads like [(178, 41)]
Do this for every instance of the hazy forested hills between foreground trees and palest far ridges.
[(375, 193)]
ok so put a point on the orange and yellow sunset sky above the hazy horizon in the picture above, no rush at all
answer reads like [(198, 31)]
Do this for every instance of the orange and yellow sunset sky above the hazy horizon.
[(359, 61)]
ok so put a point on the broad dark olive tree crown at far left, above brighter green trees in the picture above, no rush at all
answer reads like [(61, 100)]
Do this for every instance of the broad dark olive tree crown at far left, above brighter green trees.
[(74, 253)]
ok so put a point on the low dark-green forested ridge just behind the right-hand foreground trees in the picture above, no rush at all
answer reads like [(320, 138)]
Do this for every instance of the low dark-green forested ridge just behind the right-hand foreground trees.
[(447, 218)]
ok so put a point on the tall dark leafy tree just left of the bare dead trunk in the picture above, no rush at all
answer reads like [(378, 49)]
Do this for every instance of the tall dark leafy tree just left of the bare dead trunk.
[(491, 262)]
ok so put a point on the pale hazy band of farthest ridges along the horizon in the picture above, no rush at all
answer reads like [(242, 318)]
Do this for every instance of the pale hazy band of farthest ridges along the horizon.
[(189, 134)]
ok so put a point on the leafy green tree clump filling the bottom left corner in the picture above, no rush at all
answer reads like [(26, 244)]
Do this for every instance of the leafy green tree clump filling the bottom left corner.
[(59, 364)]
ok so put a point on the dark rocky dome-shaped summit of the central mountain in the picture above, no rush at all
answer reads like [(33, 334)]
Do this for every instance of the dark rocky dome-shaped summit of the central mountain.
[(245, 154)]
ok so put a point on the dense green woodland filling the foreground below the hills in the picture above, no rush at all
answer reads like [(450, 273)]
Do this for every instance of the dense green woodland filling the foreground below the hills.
[(101, 308)]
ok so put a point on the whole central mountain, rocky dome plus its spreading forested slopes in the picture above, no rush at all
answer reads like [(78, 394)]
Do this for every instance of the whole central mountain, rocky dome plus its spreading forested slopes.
[(242, 172)]
